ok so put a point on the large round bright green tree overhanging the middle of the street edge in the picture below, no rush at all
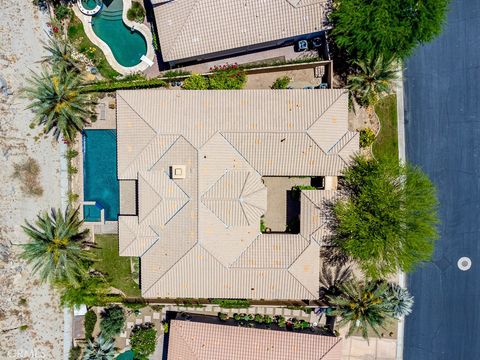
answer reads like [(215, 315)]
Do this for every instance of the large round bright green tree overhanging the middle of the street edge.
[(388, 220)]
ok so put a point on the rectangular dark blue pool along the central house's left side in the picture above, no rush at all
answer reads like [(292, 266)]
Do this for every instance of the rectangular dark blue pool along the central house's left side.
[(100, 182)]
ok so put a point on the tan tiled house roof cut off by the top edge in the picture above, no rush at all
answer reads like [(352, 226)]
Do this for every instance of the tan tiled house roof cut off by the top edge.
[(190, 28)]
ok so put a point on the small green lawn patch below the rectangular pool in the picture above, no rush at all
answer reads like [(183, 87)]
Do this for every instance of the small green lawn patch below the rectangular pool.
[(117, 268)]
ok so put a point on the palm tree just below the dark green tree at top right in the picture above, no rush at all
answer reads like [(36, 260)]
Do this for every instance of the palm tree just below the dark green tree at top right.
[(374, 78)]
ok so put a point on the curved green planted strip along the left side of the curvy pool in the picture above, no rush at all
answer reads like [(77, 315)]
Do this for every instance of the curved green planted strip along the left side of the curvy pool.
[(77, 36)]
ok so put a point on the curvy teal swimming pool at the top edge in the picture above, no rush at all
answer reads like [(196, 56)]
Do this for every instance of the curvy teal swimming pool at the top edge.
[(127, 46)]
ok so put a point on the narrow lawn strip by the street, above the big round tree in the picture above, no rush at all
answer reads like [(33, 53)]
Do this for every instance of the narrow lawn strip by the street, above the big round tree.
[(386, 142)]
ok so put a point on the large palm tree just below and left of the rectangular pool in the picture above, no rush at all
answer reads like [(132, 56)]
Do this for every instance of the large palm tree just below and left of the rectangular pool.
[(57, 247)]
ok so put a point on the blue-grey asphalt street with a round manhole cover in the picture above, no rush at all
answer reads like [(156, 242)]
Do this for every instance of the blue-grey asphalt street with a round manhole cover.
[(442, 122)]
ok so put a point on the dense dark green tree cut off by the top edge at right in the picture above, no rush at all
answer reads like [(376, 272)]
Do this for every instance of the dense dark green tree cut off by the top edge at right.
[(386, 27)]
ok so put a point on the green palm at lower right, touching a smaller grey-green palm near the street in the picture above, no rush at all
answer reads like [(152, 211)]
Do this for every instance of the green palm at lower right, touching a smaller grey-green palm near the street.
[(363, 306)]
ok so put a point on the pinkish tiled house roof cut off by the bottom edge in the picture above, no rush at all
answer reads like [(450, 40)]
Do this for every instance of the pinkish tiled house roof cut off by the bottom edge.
[(203, 341)]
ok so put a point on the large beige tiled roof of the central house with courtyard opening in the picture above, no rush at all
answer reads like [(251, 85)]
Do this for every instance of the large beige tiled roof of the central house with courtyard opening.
[(199, 236)]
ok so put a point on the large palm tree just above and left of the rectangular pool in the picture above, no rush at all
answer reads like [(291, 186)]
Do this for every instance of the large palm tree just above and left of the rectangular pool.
[(58, 102)]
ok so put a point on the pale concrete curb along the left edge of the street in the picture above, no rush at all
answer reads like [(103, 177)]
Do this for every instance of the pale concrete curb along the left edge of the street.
[(402, 156)]
